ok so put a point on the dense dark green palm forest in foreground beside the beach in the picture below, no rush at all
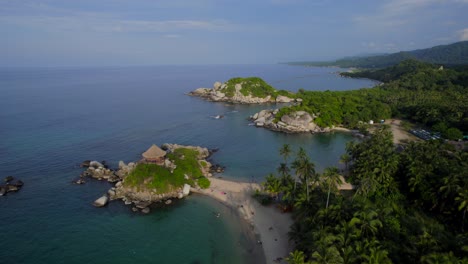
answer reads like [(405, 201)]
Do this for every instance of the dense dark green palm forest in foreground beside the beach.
[(408, 207)]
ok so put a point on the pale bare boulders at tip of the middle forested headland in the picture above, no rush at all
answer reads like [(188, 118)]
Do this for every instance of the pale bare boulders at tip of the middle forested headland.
[(296, 122)]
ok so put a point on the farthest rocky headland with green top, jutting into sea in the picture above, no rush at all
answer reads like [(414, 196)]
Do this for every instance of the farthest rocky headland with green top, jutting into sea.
[(251, 90)]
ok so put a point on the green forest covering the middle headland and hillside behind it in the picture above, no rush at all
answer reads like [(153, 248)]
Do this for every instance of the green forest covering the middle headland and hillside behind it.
[(415, 91)]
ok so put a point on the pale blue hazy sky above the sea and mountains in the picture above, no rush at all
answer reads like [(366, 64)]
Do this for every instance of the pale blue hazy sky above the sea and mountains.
[(155, 32)]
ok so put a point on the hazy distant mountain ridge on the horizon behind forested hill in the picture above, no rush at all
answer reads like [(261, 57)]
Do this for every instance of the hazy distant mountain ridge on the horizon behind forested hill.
[(452, 54)]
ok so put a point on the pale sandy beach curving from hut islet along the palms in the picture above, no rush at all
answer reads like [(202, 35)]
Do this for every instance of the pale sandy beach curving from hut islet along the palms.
[(269, 225)]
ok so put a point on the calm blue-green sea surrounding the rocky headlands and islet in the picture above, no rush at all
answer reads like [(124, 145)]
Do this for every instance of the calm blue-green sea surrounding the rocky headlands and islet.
[(51, 119)]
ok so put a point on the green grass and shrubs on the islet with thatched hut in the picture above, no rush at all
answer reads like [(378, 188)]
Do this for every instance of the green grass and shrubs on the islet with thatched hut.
[(152, 176)]
